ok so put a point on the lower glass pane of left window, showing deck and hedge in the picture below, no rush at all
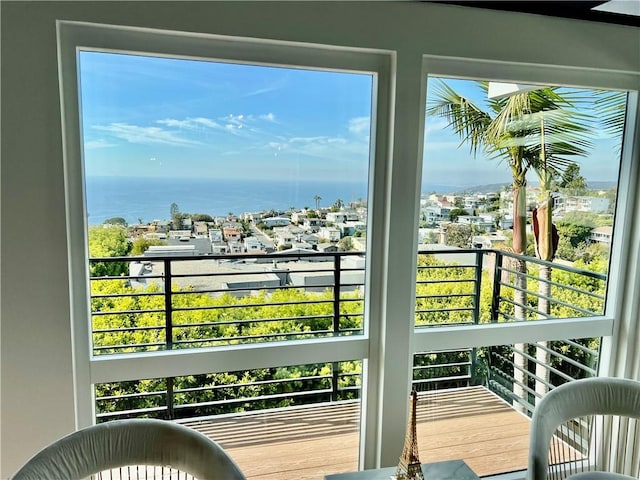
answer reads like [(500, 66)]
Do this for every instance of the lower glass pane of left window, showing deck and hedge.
[(258, 416)]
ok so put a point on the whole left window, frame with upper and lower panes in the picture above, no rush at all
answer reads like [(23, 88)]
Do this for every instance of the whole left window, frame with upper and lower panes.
[(226, 199)]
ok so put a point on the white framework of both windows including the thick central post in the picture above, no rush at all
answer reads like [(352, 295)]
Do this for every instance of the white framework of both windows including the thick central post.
[(389, 341)]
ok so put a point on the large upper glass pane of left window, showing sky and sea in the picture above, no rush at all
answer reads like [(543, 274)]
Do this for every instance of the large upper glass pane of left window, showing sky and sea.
[(240, 189)]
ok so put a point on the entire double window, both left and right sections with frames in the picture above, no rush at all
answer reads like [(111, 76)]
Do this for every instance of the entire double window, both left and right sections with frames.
[(267, 234)]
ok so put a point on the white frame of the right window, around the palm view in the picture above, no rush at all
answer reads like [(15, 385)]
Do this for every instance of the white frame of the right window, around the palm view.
[(559, 329)]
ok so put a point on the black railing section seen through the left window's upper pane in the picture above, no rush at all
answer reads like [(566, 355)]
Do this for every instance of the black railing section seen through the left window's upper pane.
[(186, 302)]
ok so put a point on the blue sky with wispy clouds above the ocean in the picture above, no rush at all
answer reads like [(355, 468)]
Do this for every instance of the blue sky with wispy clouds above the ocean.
[(149, 116)]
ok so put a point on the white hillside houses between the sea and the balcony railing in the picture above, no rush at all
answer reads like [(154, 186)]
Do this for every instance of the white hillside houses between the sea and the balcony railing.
[(321, 230)]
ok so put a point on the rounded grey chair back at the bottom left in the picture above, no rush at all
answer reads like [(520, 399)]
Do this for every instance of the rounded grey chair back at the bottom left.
[(139, 442)]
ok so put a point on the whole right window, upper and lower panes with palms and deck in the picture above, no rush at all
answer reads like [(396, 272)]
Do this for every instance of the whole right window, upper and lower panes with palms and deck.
[(517, 215)]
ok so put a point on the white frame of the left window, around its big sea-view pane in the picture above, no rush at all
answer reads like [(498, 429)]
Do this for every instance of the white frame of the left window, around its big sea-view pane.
[(90, 370)]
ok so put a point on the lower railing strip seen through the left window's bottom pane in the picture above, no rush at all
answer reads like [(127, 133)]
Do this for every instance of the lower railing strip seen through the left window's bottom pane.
[(215, 394)]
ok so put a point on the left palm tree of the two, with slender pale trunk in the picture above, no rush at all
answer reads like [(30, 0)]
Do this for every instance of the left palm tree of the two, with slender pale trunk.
[(504, 131)]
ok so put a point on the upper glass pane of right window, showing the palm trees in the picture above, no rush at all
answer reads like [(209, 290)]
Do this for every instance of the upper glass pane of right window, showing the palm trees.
[(518, 200)]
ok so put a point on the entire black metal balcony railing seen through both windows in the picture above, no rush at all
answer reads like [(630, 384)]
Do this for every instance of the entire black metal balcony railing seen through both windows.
[(188, 302)]
